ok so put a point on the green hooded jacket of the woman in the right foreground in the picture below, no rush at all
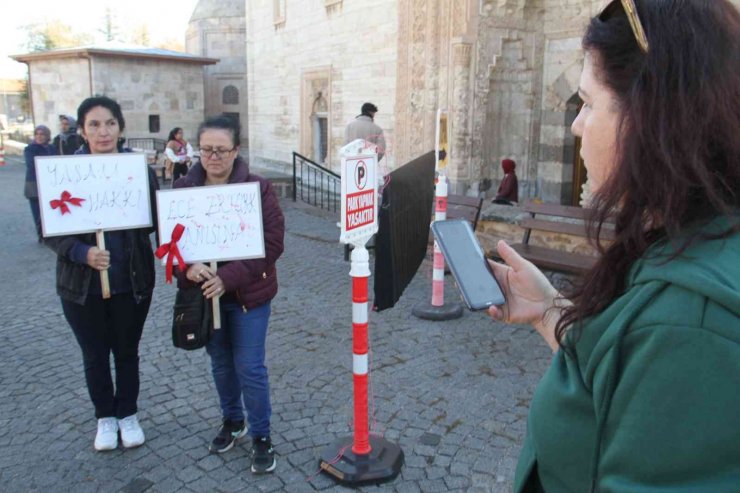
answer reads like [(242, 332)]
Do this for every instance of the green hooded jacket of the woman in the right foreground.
[(651, 401)]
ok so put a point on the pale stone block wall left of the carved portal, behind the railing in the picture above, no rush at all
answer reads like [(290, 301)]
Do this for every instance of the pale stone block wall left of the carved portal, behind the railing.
[(347, 48)]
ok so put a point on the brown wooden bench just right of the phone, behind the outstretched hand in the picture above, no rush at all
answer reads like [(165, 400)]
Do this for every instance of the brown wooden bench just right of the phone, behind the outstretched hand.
[(558, 219)]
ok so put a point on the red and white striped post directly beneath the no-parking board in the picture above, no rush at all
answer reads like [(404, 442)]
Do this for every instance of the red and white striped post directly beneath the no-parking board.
[(360, 272)]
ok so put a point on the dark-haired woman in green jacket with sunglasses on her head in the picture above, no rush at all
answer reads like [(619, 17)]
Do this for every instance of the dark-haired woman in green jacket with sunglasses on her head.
[(643, 394)]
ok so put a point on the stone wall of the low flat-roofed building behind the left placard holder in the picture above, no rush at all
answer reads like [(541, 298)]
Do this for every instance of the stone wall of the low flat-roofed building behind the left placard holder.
[(172, 90)]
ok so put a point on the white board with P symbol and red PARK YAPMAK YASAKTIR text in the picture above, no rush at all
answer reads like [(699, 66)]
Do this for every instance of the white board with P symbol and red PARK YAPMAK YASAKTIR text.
[(359, 199)]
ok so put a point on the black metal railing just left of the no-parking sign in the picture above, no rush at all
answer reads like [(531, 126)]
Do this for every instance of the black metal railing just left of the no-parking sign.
[(315, 184)]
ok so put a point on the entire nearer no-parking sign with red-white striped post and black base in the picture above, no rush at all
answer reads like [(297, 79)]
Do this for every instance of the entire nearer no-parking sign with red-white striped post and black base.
[(361, 458)]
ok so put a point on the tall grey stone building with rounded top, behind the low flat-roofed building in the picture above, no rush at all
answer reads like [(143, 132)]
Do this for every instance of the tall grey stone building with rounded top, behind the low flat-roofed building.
[(217, 29)]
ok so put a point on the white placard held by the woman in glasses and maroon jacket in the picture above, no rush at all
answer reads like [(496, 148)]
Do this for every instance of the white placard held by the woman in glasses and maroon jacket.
[(222, 222)]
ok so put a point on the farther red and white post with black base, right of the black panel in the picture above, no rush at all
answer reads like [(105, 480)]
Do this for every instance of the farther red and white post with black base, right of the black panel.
[(438, 310)]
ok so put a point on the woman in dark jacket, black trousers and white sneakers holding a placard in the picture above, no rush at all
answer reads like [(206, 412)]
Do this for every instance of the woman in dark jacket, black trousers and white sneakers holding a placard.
[(108, 325)]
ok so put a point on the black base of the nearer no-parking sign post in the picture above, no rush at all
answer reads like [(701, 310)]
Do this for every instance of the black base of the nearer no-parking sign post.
[(382, 464)]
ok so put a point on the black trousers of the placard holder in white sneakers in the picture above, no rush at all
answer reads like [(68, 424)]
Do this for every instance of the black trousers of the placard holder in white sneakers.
[(103, 327)]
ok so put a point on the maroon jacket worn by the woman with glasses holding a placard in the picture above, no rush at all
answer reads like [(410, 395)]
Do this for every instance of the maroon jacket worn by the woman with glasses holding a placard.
[(251, 282)]
